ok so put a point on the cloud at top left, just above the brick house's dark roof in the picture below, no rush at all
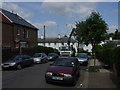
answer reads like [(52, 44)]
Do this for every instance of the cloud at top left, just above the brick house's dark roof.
[(17, 9)]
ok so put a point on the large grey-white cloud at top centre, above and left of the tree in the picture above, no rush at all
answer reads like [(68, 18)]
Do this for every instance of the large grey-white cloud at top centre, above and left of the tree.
[(69, 9)]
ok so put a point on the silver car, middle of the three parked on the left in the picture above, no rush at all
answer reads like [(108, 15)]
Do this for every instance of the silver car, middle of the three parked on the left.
[(40, 58)]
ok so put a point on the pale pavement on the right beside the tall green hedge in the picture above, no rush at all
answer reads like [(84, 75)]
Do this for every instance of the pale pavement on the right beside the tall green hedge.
[(102, 79)]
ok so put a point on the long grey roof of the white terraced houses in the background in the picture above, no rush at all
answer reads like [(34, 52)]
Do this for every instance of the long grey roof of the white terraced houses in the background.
[(55, 40)]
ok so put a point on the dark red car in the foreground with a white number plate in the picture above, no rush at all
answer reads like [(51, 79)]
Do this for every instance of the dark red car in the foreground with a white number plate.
[(63, 70)]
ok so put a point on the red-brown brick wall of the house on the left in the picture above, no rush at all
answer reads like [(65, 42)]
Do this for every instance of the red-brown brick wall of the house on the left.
[(9, 34)]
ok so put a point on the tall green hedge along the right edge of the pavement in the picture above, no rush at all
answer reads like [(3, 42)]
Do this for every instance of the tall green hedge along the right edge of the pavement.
[(109, 55)]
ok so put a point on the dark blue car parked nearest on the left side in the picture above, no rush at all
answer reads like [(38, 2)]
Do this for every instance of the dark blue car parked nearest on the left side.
[(18, 62)]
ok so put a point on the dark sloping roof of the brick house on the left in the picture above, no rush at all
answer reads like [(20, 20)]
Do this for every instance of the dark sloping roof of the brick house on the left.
[(17, 19)]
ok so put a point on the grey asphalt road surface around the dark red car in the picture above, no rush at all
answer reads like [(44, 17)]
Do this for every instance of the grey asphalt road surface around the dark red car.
[(33, 77)]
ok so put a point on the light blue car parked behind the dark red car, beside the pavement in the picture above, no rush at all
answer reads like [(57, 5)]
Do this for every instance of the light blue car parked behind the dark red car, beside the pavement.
[(83, 58)]
